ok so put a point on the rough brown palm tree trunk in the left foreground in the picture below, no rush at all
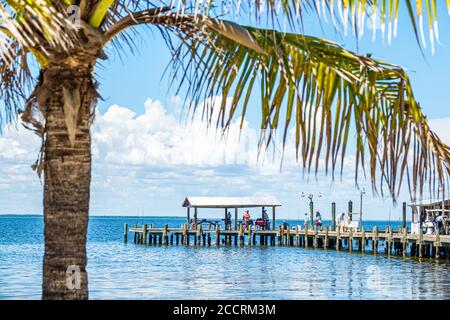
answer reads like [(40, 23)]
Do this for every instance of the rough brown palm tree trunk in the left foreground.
[(67, 177)]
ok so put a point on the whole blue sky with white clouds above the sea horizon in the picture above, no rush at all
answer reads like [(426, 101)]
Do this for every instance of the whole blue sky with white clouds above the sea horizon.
[(146, 160)]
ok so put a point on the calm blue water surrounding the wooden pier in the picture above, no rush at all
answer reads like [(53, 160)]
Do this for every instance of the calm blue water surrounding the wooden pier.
[(127, 271)]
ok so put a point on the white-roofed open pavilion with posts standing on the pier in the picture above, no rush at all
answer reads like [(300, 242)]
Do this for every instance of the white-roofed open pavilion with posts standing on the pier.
[(229, 203)]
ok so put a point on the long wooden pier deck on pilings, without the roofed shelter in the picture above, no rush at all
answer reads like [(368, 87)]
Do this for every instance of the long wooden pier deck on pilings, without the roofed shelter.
[(399, 242)]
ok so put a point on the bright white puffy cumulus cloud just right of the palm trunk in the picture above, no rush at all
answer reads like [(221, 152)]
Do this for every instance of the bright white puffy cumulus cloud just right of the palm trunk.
[(157, 138)]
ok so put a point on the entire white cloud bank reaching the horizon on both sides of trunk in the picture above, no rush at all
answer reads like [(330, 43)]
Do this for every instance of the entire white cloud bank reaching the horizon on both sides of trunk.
[(151, 159)]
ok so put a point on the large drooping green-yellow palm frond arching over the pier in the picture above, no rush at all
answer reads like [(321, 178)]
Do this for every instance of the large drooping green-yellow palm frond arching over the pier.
[(321, 90)]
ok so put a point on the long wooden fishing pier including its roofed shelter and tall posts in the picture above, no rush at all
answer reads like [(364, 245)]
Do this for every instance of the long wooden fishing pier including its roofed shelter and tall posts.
[(376, 241)]
